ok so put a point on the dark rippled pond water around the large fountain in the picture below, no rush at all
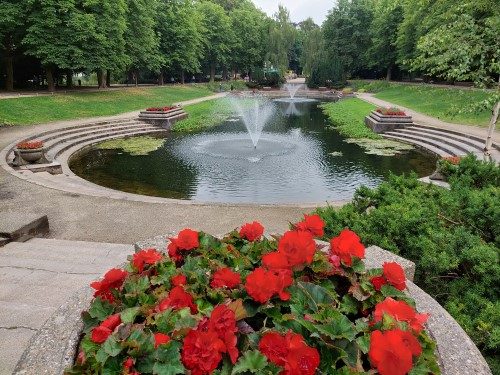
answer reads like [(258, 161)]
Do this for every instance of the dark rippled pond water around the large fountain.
[(297, 160)]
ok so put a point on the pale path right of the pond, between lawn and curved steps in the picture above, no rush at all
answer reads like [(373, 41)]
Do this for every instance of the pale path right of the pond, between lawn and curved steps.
[(421, 119)]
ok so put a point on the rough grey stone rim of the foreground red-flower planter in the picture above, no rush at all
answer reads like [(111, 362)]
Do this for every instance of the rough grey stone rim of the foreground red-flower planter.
[(53, 348)]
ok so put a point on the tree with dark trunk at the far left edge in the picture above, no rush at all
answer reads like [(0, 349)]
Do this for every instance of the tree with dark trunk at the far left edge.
[(11, 34)]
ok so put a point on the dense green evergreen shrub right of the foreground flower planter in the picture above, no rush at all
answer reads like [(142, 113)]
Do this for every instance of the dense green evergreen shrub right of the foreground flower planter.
[(452, 236)]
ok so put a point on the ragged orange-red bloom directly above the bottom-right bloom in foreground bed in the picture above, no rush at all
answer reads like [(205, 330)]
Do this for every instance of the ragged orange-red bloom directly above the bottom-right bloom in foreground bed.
[(402, 312)]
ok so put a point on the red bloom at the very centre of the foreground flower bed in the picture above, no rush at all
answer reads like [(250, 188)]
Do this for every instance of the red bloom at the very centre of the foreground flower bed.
[(262, 285)]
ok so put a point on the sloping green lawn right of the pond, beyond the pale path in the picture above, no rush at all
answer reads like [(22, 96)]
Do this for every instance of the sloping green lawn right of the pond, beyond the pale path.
[(451, 105)]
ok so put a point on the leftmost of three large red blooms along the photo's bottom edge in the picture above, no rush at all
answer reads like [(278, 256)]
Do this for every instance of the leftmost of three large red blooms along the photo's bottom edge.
[(203, 347)]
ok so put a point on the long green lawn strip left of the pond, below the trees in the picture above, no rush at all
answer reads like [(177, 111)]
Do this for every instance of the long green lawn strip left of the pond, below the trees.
[(42, 109)]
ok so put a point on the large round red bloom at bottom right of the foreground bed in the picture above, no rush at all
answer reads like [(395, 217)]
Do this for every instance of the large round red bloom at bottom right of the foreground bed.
[(392, 352)]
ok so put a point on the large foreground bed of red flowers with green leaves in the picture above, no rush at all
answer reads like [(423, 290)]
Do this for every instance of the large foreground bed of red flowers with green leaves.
[(248, 304)]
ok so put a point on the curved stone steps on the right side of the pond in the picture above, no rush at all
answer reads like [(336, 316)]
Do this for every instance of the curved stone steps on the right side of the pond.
[(444, 143)]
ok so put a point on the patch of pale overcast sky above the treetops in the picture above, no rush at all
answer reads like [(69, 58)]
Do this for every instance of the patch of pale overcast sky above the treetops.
[(299, 9)]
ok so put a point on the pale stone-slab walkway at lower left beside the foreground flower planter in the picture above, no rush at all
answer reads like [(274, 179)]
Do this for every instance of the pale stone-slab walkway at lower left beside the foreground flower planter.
[(36, 278)]
